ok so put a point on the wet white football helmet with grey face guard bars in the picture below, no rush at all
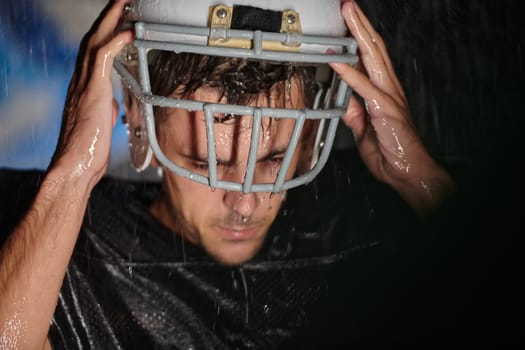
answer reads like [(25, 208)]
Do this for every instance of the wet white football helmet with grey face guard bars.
[(217, 38)]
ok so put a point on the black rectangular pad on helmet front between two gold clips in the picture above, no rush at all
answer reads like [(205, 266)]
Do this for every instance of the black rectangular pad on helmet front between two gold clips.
[(255, 18)]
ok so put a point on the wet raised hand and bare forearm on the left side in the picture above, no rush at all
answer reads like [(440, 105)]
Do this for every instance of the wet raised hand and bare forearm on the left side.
[(34, 259)]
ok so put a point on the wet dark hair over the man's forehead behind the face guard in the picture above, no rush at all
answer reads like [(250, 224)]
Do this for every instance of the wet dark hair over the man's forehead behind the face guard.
[(239, 81)]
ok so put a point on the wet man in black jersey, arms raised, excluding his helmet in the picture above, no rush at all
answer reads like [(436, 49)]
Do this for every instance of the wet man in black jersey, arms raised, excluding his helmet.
[(124, 265)]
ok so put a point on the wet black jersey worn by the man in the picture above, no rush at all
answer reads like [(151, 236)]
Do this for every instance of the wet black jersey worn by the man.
[(133, 284)]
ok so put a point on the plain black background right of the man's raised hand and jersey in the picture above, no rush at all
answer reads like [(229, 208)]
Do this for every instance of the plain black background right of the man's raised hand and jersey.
[(462, 64)]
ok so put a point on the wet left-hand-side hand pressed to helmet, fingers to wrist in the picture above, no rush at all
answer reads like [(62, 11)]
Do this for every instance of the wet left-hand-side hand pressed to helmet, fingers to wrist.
[(90, 111)]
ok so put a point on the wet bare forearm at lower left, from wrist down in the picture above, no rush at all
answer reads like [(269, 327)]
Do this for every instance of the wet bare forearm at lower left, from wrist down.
[(34, 259)]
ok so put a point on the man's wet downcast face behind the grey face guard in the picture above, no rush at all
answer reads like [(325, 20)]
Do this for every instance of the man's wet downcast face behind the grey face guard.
[(230, 226)]
